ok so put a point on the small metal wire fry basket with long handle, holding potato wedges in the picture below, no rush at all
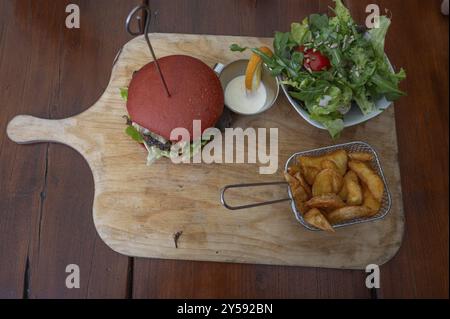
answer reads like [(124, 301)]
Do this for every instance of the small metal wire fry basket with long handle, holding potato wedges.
[(351, 147)]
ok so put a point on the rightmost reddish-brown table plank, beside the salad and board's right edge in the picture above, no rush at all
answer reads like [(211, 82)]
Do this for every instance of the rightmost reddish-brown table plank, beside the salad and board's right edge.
[(418, 41)]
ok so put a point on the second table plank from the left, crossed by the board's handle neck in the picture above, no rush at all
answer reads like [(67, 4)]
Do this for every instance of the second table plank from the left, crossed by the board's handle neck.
[(67, 235)]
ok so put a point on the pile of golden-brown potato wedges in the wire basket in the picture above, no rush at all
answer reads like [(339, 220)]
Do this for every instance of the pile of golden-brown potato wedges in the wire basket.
[(335, 188)]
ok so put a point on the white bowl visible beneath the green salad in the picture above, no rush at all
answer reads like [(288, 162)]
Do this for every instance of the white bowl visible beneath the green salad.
[(353, 117)]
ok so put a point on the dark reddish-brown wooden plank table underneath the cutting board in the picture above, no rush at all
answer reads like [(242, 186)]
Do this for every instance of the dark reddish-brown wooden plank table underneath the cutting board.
[(46, 190)]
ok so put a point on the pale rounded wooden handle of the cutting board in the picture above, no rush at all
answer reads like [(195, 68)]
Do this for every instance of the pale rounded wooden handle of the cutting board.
[(26, 129)]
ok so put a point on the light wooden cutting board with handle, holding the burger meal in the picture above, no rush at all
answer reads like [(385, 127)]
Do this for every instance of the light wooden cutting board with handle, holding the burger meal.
[(138, 208)]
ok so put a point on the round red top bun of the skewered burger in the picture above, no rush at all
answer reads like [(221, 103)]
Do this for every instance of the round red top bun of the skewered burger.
[(196, 94)]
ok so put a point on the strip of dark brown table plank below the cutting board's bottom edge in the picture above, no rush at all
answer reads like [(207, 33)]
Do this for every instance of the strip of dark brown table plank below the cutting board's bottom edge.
[(189, 279)]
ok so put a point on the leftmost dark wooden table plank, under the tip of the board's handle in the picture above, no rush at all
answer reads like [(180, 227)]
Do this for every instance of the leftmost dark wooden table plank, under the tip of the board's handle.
[(20, 192)]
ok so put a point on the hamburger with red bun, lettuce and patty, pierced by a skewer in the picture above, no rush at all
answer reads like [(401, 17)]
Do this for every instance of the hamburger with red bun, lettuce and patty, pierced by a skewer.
[(195, 94)]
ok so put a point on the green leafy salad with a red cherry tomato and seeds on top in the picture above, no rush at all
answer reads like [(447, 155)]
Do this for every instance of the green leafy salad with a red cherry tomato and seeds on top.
[(330, 62)]
